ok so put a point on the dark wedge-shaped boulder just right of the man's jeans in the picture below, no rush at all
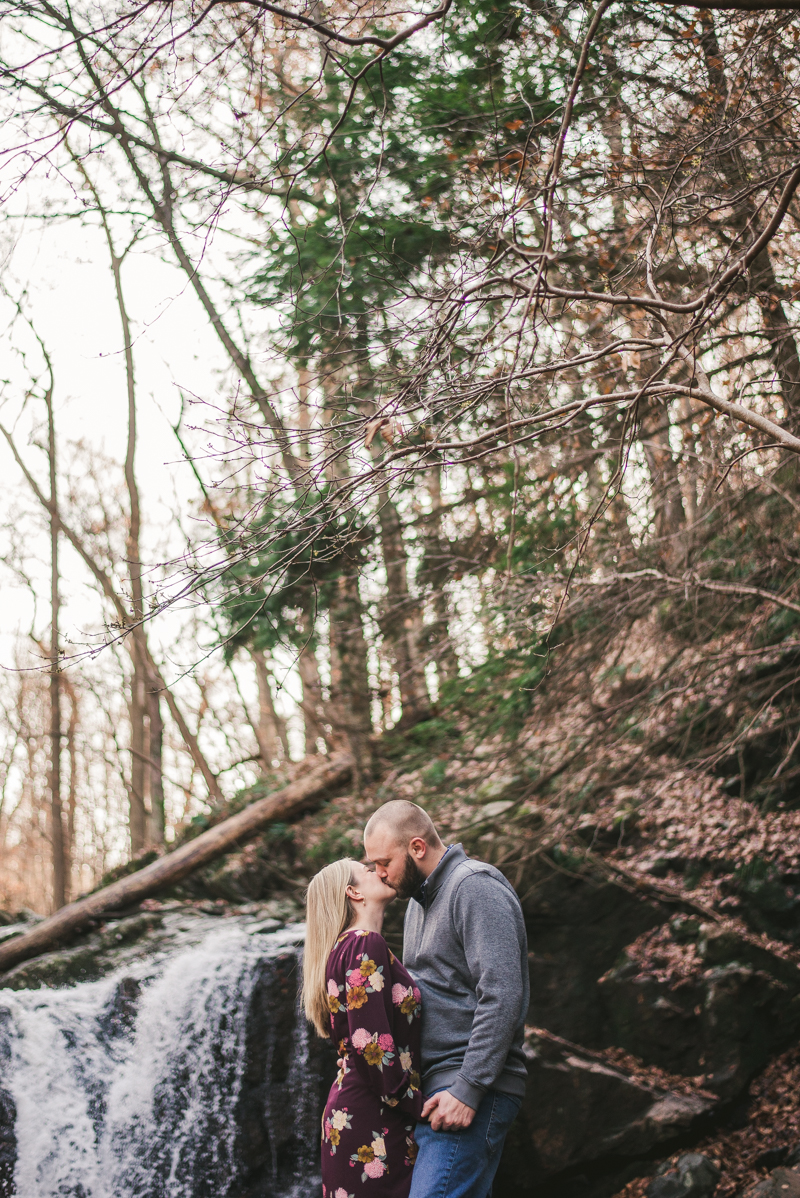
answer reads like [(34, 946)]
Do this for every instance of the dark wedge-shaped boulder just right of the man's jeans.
[(584, 1118)]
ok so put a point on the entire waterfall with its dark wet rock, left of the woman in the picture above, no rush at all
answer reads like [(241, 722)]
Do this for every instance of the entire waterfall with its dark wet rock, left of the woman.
[(187, 1078)]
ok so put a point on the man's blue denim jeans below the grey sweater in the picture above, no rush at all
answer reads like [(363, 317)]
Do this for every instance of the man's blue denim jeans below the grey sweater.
[(463, 1164)]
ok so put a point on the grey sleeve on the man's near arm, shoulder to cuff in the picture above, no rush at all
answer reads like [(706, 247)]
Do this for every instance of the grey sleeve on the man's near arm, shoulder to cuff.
[(488, 922)]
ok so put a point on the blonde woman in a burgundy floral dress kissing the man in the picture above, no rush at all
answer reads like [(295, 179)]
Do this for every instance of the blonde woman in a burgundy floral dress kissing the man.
[(357, 993)]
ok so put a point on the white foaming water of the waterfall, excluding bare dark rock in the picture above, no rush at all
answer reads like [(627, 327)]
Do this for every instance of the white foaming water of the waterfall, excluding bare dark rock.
[(138, 1099)]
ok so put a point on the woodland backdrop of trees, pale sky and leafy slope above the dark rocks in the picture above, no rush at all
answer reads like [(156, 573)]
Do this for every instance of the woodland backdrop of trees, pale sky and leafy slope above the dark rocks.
[(468, 341)]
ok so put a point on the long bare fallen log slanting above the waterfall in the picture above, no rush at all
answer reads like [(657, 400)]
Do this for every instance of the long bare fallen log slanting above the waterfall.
[(290, 802)]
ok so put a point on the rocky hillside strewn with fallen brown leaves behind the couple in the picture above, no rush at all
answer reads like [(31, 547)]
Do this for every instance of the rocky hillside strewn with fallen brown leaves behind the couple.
[(641, 794)]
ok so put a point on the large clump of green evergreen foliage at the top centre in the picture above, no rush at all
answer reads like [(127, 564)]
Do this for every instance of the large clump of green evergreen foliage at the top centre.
[(374, 210)]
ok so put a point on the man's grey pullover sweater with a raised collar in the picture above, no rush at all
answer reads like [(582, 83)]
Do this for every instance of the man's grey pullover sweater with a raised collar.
[(465, 947)]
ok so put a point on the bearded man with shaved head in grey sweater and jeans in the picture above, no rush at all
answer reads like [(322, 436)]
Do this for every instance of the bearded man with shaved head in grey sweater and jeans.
[(466, 948)]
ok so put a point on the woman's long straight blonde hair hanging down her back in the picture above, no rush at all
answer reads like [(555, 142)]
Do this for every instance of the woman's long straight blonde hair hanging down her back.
[(329, 912)]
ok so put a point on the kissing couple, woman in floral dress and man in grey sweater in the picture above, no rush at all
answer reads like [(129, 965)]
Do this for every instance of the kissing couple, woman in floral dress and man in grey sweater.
[(432, 1070)]
